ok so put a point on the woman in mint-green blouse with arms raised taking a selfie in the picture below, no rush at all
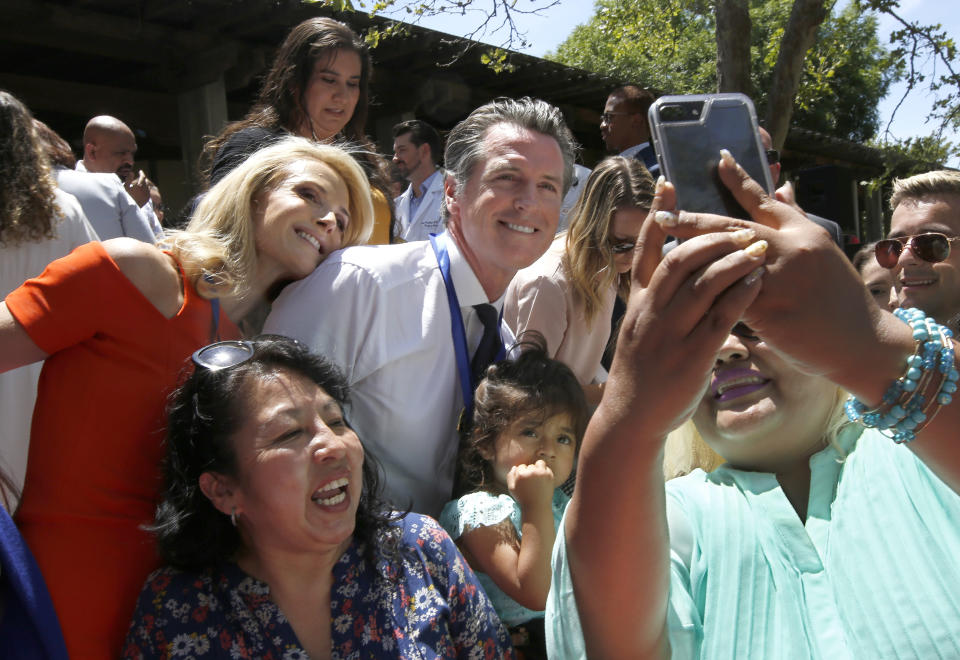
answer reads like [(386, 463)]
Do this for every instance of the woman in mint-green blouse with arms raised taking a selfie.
[(831, 530)]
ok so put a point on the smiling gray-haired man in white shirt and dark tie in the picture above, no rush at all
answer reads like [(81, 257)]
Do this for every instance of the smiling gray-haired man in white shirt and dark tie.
[(385, 315)]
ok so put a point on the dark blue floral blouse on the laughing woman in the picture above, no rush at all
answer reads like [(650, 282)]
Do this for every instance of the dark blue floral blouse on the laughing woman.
[(429, 606)]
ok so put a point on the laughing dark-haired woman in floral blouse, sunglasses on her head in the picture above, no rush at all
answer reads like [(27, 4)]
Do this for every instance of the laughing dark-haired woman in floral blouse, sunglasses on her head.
[(276, 540)]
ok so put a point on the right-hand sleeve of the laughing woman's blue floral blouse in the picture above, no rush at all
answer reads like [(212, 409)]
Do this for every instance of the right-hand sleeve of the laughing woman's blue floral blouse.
[(475, 628)]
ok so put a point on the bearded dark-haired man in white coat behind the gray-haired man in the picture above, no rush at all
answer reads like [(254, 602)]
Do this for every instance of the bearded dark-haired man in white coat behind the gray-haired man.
[(416, 149)]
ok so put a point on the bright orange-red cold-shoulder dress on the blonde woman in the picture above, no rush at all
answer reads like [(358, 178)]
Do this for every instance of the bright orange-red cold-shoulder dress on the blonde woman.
[(93, 473)]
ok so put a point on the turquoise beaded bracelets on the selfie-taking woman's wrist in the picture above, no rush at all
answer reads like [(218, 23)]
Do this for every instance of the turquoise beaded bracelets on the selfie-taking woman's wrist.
[(908, 404)]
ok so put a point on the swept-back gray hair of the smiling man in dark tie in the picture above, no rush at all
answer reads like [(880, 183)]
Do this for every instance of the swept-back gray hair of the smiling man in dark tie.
[(465, 143)]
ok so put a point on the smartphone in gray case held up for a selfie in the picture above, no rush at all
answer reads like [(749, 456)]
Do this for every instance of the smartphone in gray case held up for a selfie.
[(688, 133)]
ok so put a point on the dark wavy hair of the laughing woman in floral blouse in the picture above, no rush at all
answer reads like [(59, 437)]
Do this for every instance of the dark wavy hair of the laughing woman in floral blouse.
[(204, 413)]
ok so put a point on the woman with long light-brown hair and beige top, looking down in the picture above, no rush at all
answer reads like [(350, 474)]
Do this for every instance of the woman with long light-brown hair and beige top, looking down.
[(569, 293)]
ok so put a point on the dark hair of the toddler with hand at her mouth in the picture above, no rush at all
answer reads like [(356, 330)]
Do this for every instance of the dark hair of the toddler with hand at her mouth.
[(532, 384)]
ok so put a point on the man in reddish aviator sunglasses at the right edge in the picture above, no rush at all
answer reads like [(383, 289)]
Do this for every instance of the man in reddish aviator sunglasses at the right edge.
[(921, 249)]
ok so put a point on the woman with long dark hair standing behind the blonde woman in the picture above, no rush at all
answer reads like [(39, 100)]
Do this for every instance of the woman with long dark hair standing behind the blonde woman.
[(318, 87)]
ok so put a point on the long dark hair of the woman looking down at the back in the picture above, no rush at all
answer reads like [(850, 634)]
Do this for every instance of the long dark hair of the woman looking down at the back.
[(280, 104)]
